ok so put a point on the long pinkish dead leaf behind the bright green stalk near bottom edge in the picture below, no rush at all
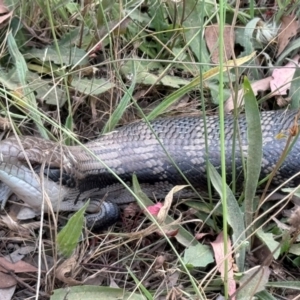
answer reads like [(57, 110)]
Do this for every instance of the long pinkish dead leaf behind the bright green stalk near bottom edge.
[(218, 249)]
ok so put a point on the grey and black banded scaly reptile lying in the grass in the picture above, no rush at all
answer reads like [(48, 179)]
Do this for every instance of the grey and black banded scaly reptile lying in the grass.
[(64, 177)]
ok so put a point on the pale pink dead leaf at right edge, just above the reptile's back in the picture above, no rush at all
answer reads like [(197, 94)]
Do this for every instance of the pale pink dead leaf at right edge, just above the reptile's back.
[(282, 77)]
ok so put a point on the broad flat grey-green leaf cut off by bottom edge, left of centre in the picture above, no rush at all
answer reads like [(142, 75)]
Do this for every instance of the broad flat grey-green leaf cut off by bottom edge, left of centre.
[(92, 292)]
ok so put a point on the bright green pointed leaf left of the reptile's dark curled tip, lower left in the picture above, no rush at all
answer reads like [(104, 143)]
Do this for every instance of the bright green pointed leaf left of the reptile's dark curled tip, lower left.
[(68, 237)]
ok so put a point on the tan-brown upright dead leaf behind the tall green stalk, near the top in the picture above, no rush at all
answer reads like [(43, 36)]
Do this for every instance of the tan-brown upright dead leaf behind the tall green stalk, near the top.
[(212, 34)]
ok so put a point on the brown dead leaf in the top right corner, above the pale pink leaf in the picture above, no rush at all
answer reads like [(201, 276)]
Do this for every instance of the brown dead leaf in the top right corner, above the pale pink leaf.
[(288, 29)]
